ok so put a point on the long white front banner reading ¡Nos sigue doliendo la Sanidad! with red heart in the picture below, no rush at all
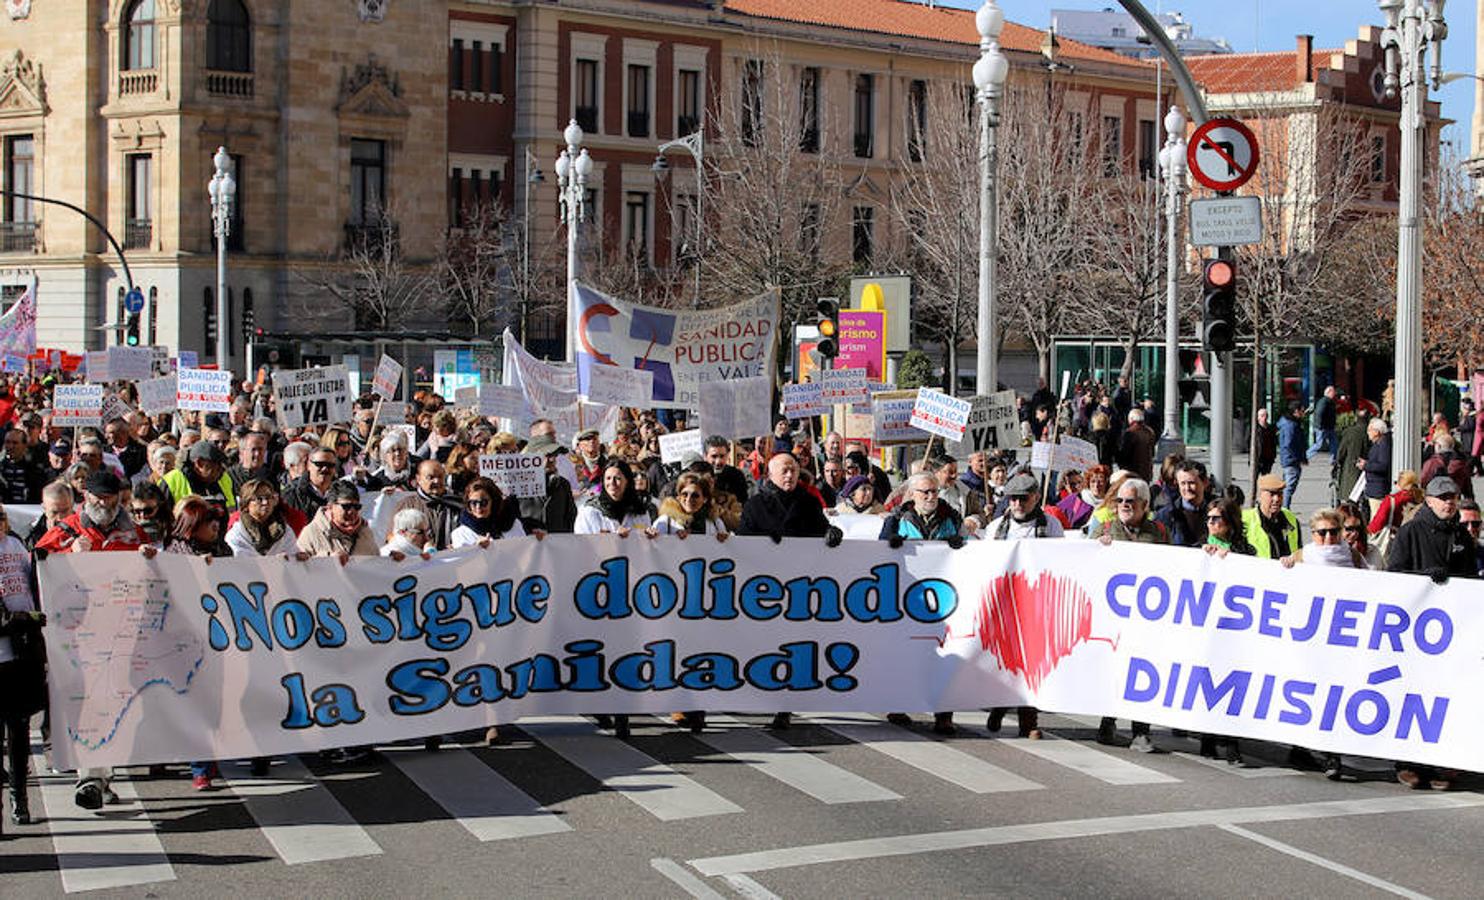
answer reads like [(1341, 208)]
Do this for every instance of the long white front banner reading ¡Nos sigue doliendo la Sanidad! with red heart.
[(274, 657)]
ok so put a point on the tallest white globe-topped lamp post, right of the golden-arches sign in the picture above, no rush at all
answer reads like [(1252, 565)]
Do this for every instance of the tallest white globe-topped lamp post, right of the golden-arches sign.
[(989, 79)]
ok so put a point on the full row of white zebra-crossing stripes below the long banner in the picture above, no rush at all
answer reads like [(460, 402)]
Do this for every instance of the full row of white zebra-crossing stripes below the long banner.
[(305, 822)]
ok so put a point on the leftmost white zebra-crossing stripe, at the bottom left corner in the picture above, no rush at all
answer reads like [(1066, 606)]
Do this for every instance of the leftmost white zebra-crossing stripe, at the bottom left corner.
[(114, 849)]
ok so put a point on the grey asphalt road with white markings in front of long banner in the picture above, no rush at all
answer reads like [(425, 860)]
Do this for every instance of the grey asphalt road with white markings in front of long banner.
[(833, 807)]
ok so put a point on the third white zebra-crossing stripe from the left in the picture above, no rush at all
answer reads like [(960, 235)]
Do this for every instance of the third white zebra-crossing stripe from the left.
[(483, 801)]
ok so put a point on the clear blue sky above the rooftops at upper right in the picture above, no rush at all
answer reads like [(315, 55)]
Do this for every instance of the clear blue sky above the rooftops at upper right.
[(1273, 25)]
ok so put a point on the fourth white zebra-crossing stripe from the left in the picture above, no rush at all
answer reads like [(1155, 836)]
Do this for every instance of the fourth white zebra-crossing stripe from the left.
[(654, 786)]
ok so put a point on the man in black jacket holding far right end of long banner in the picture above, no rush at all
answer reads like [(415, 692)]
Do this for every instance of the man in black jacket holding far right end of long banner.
[(1436, 544)]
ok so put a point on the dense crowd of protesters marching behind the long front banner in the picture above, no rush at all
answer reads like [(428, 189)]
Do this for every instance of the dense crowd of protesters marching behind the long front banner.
[(235, 483)]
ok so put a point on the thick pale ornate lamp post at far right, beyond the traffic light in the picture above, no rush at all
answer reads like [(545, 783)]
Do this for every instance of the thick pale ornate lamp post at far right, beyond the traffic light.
[(1412, 27)]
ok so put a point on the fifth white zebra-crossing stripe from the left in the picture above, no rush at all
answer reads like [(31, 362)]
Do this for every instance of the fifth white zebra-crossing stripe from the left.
[(795, 767)]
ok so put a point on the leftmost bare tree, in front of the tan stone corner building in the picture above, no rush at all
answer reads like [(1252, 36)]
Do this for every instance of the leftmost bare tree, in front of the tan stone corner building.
[(372, 281)]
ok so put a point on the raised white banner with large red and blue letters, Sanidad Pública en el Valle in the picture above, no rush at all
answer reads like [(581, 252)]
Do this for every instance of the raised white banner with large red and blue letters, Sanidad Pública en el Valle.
[(682, 347)]
